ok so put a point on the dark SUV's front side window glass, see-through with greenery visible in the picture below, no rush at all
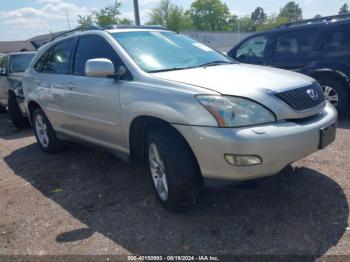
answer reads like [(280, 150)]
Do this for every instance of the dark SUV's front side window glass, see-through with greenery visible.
[(252, 49)]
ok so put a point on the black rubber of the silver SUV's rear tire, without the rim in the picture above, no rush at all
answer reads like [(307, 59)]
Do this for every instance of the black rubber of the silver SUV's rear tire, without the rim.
[(54, 144)]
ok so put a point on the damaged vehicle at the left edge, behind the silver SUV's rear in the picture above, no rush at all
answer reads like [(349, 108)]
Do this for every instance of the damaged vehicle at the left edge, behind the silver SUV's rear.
[(12, 67)]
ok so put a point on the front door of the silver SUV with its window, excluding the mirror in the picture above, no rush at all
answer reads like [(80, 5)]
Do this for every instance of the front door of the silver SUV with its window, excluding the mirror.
[(92, 103)]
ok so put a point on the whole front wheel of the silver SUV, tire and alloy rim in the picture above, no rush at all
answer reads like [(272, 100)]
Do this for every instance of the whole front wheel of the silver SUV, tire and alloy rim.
[(173, 169)]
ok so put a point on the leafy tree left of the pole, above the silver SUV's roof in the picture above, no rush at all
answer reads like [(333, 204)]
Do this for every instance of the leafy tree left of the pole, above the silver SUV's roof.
[(105, 16)]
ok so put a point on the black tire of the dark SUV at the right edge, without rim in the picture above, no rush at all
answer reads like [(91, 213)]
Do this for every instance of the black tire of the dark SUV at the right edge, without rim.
[(343, 91)]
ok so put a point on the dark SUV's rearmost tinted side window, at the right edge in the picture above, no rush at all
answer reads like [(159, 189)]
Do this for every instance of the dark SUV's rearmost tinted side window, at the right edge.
[(338, 39)]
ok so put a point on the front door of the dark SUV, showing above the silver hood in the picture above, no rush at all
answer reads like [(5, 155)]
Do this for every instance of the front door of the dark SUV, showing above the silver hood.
[(253, 51)]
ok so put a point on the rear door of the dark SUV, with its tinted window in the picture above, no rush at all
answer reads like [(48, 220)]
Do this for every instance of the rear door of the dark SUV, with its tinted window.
[(294, 49)]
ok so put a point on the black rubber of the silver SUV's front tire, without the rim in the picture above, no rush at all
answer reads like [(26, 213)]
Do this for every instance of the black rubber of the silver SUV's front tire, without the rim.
[(180, 166)]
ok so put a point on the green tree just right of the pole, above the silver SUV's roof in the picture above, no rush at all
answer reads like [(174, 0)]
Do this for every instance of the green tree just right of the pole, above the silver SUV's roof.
[(169, 15)]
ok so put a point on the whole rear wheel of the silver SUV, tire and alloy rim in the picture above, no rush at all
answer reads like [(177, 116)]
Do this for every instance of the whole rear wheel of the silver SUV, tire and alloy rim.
[(45, 134)]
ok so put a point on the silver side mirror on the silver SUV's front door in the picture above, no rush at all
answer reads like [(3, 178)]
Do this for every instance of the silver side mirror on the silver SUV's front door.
[(99, 67)]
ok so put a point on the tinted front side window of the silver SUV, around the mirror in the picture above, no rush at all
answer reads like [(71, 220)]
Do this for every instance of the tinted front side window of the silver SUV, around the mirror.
[(90, 47)]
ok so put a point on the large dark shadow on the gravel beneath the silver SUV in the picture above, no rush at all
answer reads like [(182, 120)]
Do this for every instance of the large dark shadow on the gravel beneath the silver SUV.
[(300, 212)]
